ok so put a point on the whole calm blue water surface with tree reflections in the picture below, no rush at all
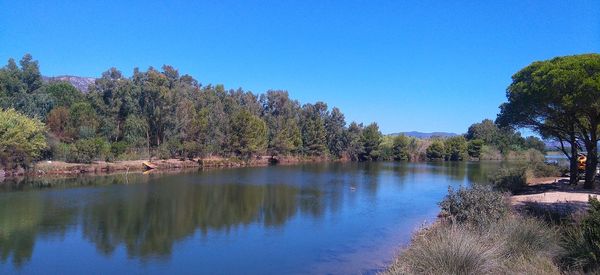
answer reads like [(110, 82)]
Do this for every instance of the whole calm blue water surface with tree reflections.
[(325, 218)]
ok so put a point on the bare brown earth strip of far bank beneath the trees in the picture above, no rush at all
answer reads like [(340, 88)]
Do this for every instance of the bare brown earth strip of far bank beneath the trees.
[(61, 168)]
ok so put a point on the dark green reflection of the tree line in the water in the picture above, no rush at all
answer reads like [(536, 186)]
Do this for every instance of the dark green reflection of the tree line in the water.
[(148, 214)]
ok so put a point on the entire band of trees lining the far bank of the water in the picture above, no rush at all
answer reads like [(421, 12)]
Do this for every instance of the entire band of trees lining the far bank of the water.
[(164, 114)]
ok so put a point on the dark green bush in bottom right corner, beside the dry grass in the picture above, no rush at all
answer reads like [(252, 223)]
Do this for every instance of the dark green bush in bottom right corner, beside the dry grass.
[(582, 242)]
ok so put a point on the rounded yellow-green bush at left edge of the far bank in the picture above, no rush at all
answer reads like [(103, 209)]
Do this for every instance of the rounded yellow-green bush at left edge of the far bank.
[(21, 138)]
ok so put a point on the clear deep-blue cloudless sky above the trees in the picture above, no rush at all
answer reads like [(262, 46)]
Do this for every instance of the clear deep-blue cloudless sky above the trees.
[(420, 65)]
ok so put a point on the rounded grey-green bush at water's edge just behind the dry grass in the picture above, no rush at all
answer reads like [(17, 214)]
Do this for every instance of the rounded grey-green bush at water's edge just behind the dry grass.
[(476, 206)]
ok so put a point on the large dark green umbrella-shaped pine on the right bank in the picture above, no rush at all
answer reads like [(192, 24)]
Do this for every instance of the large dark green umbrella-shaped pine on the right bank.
[(560, 99)]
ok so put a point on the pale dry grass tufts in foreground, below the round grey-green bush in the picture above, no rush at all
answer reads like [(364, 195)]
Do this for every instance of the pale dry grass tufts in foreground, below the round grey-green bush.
[(514, 245)]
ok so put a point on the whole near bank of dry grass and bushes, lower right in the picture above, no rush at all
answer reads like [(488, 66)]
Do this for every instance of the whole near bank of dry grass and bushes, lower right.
[(479, 232)]
